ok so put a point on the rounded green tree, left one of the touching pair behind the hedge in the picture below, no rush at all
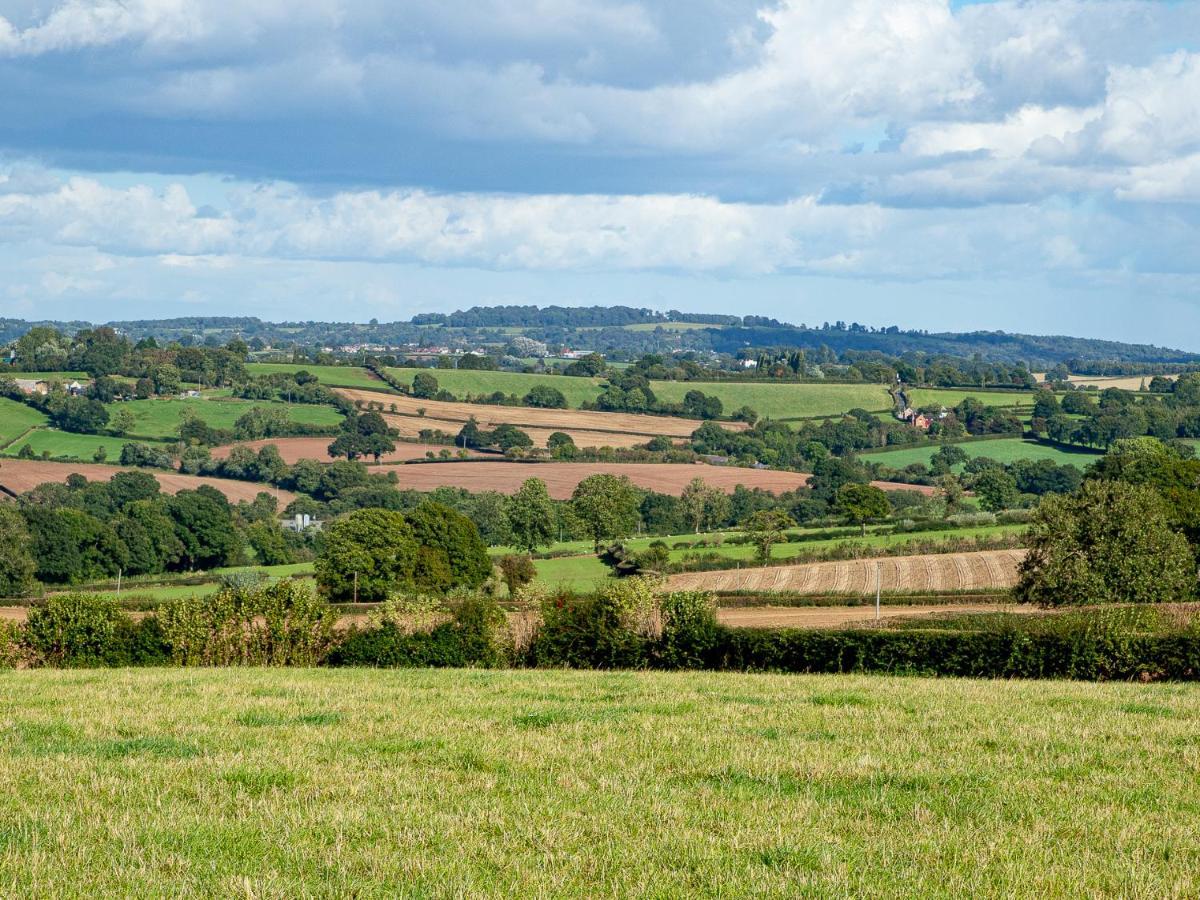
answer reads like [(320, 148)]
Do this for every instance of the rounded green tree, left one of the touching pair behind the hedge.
[(373, 549)]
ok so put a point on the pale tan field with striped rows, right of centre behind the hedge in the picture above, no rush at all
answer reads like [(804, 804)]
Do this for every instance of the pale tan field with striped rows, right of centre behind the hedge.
[(934, 572)]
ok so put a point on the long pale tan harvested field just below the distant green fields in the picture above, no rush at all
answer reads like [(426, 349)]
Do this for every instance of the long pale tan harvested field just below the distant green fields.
[(586, 423)]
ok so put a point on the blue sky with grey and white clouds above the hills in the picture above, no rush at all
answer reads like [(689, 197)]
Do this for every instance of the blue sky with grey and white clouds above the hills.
[(932, 164)]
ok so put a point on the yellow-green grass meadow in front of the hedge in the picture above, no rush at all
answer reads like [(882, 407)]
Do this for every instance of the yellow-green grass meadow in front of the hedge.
[(269, 783)]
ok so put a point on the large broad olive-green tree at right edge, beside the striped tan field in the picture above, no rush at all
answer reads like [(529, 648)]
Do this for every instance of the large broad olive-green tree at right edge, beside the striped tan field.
[(1108, 543)]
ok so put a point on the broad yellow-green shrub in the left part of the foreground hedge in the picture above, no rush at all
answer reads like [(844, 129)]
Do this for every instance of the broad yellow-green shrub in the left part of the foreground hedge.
[(281, 625)]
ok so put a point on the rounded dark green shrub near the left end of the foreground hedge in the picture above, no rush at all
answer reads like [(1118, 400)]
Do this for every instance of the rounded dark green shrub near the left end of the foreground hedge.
[(74, 631)]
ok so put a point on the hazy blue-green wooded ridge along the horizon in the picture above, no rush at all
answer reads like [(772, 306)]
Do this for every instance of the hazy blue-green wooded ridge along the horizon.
[(613, 329)]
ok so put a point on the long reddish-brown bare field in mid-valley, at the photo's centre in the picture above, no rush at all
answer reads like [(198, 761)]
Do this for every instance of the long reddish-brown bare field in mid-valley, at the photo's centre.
[(561, 478)]
